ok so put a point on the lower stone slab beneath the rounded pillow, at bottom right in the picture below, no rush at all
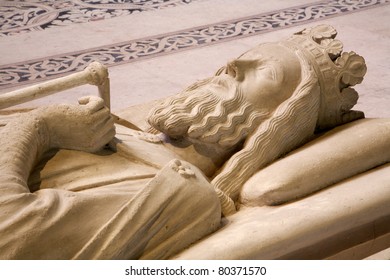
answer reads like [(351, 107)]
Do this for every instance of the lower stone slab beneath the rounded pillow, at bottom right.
[(343, 216)]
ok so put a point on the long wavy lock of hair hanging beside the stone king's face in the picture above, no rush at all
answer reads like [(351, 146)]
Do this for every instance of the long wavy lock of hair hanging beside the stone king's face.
[(292, 124)]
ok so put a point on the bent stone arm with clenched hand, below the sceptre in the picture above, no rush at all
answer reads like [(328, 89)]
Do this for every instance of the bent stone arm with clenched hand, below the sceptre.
[(85, 127)]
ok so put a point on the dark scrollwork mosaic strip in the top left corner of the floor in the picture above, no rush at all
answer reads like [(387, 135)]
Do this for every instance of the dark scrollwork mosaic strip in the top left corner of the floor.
[(23, 16)]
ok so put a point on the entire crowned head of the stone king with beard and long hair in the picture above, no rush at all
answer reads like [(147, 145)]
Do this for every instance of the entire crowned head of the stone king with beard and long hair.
[(272, 99)]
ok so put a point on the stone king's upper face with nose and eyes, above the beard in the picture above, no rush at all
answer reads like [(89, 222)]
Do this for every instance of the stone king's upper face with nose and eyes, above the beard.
[(267, 75)]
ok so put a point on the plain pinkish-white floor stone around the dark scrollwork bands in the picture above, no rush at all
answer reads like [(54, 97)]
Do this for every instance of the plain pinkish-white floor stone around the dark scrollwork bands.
[(172, 72)]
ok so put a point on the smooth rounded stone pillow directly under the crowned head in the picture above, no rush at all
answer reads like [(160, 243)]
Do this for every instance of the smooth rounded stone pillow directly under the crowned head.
[(337, 155)]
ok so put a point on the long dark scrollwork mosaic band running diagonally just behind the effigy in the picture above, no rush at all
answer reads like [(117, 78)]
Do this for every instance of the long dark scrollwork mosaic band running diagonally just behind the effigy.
[(135, 50)]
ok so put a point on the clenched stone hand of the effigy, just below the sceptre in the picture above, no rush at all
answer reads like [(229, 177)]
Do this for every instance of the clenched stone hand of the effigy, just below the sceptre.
[(86, 127)]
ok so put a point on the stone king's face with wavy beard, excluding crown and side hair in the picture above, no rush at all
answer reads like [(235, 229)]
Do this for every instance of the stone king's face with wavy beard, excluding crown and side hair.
[(226, 108)]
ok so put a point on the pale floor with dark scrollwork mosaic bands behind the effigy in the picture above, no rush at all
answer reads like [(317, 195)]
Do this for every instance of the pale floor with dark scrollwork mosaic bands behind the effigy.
[(143, 42)]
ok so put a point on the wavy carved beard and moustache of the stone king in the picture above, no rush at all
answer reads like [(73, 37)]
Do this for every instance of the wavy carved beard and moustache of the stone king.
[(210, 111)]
